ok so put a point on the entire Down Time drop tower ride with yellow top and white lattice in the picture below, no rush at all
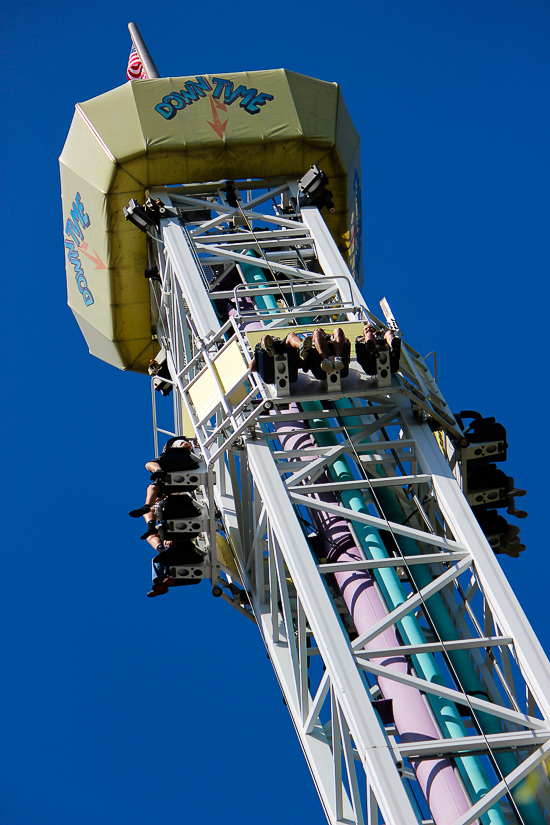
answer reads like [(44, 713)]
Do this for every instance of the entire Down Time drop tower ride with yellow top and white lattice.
[(335, 514)]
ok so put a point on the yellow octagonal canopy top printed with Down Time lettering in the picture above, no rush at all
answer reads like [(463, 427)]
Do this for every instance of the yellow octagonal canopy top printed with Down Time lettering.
[(181, 130)]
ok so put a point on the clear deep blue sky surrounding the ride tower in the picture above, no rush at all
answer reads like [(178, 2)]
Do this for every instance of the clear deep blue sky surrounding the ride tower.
[(120, 709)]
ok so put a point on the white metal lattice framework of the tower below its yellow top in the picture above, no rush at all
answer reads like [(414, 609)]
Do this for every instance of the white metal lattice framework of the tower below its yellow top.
[(362, 456)]
